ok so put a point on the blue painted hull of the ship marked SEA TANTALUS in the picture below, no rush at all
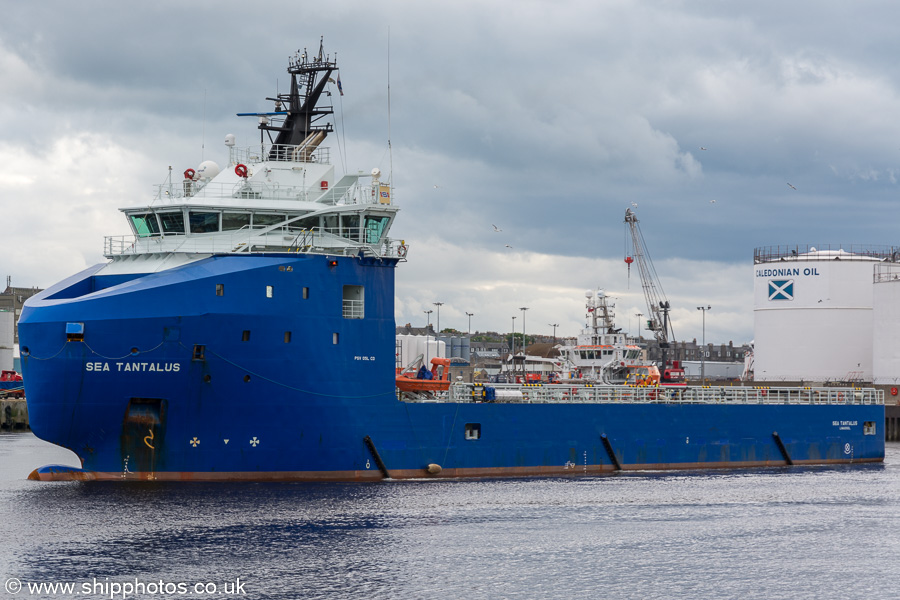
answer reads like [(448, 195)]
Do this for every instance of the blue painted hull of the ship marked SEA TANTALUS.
[(173, 381)]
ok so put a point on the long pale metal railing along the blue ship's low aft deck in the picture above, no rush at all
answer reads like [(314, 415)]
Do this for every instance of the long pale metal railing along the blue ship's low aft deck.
[(625, 394)]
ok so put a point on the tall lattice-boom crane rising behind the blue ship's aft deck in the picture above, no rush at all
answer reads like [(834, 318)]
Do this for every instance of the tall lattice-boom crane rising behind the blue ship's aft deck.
[(657, 304)]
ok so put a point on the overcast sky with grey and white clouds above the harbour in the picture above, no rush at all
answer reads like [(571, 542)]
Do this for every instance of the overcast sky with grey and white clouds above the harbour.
[(548, 119)]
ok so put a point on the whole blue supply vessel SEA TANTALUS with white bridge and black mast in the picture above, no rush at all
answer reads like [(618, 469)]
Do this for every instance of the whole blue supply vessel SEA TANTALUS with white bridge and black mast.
[(245, 331)]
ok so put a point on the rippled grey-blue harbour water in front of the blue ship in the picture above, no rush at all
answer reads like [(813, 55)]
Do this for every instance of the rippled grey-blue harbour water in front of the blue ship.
[(801, 532)]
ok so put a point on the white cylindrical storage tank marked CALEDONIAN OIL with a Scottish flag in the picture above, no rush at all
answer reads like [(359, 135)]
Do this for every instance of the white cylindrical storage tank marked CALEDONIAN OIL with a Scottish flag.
[(812, 313)]
